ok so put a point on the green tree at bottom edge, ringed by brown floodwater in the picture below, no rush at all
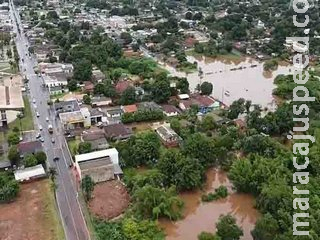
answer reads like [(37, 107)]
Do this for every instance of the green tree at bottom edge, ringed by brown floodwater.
[(227, 228)]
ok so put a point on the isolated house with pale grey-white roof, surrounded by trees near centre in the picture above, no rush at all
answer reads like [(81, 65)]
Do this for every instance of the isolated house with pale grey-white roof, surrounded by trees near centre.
[(168, 137)]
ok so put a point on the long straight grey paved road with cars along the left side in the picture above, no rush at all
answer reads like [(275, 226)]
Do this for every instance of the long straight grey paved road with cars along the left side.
[(72, 218)]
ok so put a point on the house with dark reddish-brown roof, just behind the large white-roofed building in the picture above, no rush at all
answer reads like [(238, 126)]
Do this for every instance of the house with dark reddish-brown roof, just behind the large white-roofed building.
[(117, 131)]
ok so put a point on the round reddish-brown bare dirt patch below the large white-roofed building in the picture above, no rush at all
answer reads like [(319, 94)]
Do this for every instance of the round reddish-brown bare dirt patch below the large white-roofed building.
[(110, 199)]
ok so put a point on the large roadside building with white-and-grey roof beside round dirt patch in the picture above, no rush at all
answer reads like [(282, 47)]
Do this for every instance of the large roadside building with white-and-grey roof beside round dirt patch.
[(99, 165)]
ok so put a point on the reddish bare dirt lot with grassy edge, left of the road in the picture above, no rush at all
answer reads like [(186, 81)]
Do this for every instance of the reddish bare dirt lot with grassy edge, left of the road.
[(32, 215)]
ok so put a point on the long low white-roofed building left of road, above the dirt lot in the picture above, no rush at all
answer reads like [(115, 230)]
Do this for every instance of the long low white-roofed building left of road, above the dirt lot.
[(30, 173)]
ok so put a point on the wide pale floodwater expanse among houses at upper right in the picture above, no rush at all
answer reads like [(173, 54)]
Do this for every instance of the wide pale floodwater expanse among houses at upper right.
[(243, 78)]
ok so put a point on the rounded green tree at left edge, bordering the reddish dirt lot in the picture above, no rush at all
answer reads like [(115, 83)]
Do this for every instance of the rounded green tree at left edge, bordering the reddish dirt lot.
[(9, 187)]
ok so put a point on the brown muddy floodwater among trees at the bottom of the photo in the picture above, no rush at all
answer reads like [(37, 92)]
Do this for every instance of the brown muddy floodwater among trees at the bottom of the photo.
[(200, 216)]
